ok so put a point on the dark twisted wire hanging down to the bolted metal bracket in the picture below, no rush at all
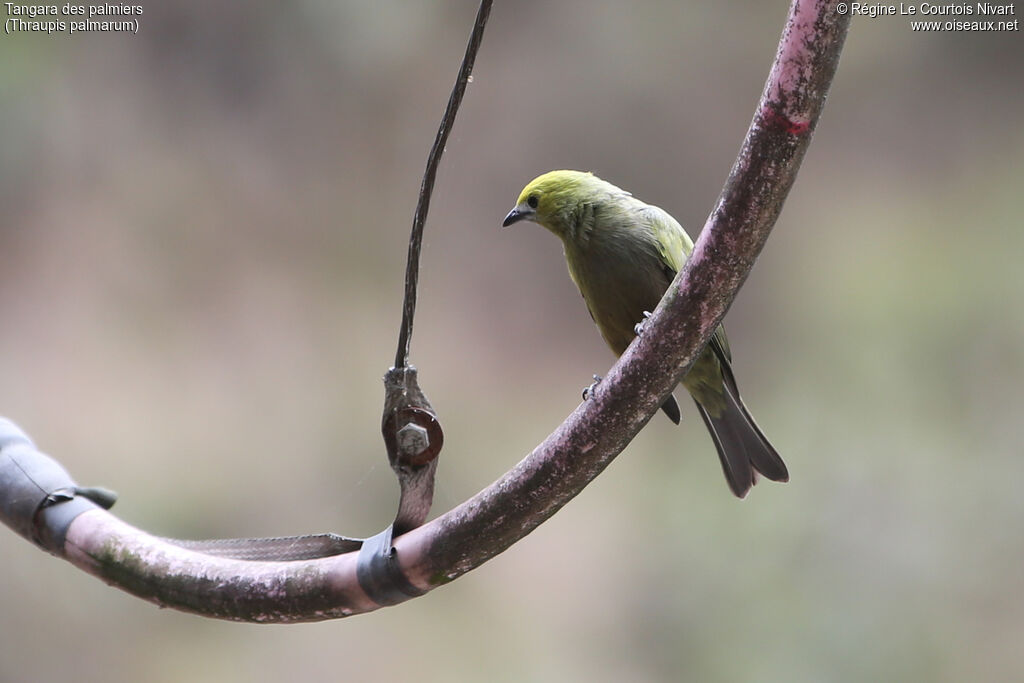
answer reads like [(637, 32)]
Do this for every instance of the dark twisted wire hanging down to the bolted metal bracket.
[(428, 187)]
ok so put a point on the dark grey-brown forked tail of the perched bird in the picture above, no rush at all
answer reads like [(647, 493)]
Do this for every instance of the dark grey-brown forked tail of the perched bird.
[(742, 447)]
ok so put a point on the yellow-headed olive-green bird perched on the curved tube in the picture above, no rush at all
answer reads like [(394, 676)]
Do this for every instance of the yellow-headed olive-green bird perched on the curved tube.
[(623, 254)]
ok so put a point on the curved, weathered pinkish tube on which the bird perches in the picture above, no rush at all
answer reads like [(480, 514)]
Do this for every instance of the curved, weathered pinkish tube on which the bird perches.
[(570, 458)]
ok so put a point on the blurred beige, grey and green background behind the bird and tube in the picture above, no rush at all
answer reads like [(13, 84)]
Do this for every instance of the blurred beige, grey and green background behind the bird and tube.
[(202, 247)]
